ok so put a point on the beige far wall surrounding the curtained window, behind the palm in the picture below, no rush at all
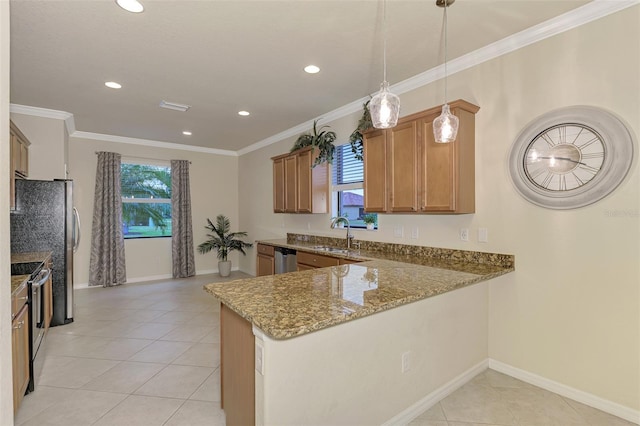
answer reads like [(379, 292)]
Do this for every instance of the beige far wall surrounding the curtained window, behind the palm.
[(214, 190)]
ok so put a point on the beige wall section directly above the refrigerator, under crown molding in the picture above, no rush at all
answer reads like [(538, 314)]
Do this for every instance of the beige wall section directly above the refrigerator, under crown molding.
[(49, 141)]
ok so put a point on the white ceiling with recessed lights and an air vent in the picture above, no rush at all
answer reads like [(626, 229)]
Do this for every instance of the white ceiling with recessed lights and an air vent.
[(224, 56)]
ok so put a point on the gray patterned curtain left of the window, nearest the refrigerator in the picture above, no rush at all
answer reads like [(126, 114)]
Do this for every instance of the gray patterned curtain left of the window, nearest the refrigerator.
[(107, 264)]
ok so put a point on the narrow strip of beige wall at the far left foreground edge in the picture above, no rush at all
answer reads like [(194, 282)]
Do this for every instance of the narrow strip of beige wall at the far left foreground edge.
[(6, 387)]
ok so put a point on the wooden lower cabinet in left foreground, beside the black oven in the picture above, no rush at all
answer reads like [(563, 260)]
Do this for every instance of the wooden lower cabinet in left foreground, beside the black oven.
[(20, 345)]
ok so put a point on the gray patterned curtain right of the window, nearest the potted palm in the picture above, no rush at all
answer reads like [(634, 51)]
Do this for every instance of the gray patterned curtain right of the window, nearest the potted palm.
[(181, 229)]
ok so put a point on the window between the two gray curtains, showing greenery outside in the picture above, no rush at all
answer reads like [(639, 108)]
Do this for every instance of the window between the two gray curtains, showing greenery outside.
[(146, 200)]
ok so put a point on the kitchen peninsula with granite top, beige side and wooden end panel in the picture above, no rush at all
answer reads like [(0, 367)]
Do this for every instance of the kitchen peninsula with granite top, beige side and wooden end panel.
[(356, 343)]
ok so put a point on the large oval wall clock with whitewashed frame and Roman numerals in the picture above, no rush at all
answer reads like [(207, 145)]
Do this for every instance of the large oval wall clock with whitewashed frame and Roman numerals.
[(571, 157)]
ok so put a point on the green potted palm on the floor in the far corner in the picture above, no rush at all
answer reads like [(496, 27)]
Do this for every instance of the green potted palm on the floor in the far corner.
[(224, 242)]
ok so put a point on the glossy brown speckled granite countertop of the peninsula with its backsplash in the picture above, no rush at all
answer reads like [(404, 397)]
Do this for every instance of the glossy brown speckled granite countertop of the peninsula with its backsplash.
[(289, 305)]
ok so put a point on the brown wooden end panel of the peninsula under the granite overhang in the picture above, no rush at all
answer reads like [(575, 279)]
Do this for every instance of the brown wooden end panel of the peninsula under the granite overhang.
[(237, 368)]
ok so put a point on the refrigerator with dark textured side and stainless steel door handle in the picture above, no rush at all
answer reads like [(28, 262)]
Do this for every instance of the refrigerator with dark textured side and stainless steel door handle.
[(45, 220)]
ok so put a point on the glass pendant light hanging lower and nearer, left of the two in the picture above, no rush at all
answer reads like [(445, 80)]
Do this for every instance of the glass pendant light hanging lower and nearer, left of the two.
[(384, 106)]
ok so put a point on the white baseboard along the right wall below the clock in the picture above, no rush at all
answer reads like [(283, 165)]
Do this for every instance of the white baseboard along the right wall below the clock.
[(591, 400)]
